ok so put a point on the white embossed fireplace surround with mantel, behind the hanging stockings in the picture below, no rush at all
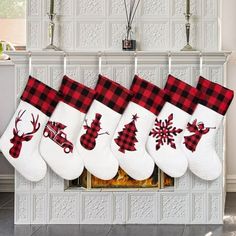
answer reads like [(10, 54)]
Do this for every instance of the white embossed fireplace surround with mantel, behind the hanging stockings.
[(191, 201)]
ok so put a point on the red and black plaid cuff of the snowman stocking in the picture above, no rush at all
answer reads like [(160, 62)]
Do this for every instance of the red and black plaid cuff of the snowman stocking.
[(112, 94)]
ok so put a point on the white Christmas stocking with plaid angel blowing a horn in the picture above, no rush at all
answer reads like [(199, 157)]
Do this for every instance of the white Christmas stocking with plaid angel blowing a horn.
[(199, 137)]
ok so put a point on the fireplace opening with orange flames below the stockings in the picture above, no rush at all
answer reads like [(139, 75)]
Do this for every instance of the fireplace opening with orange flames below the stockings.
[(122, 180)]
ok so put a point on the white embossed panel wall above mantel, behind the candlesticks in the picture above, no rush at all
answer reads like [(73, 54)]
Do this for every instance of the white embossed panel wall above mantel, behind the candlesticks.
[(100, 24)]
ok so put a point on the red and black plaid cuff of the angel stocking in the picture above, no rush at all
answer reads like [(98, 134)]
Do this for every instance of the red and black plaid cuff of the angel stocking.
[(215, 96)]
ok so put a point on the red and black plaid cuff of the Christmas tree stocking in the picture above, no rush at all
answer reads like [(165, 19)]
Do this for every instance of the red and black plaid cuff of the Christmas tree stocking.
[(147, 95)]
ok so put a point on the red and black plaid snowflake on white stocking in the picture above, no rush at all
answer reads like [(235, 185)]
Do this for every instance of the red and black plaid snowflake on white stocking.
[(164, 132)]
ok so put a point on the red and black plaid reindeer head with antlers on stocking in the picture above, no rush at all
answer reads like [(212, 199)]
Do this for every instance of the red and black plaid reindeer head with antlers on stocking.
[(17, 140)]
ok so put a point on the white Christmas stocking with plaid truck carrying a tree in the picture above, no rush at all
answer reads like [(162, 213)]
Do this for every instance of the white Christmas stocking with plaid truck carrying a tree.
[(60, 133)]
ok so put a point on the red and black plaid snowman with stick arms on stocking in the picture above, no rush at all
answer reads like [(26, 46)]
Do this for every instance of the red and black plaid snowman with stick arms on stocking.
[(88, 140)]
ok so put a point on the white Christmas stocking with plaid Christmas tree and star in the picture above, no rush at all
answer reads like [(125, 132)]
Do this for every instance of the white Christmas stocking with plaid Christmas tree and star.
[(128, 143)]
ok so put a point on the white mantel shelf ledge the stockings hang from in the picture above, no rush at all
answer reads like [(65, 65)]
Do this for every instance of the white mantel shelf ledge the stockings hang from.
[(120, 57)]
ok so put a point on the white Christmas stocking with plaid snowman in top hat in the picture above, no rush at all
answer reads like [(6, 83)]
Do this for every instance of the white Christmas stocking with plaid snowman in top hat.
[(100, 122)]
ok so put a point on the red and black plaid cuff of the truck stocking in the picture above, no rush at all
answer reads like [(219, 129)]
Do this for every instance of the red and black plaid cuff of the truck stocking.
[(76, 95)]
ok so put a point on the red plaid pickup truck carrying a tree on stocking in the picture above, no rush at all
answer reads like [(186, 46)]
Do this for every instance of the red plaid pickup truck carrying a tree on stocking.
[(53, 130)]
